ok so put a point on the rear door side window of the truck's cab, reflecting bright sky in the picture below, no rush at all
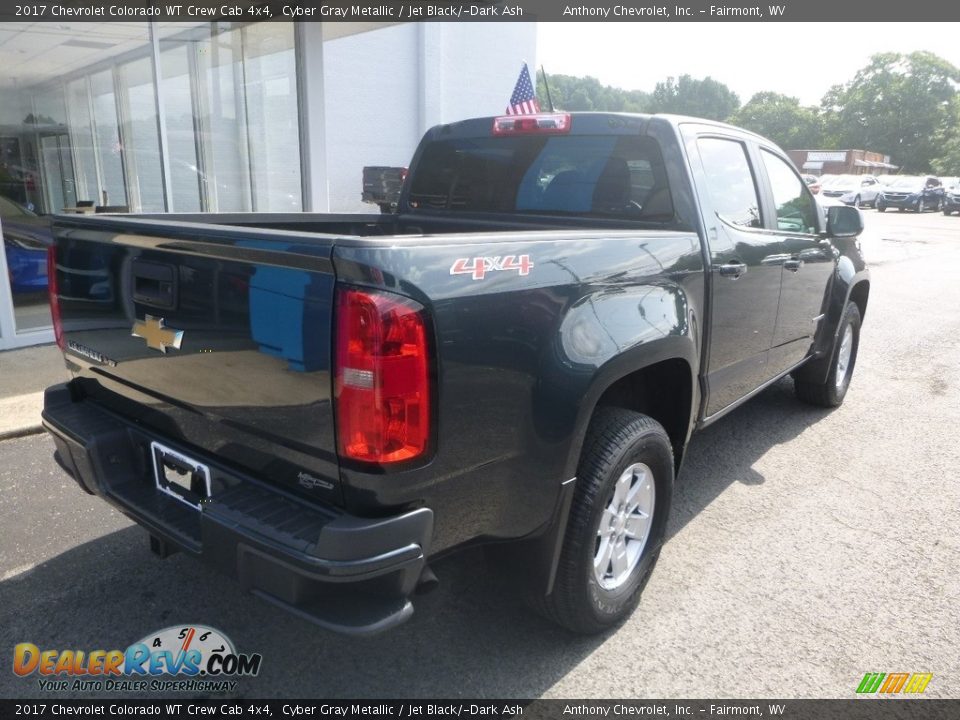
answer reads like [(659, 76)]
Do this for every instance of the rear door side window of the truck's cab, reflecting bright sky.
[(730, 181)]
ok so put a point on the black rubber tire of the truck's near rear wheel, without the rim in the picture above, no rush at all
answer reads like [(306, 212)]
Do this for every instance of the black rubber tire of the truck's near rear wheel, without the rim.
[(616, 440)]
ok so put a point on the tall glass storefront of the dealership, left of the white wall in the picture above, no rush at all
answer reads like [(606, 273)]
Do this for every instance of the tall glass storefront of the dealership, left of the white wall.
[(78, 136)]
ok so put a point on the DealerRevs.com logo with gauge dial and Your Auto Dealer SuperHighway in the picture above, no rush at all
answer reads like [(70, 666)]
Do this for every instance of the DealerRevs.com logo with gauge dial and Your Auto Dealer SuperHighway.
[(199, 658)]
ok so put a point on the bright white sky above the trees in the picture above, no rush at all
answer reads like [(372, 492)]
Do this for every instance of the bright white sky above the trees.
[(799, 59)]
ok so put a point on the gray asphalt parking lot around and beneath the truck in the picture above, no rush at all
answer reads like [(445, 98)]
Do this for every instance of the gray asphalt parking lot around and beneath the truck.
[(806, 548)]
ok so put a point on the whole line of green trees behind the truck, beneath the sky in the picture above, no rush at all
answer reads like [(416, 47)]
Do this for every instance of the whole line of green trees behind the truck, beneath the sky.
[(906, 106)]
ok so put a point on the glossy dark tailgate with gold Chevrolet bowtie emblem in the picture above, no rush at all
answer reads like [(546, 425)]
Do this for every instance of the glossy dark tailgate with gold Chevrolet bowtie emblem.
[(215, 338)]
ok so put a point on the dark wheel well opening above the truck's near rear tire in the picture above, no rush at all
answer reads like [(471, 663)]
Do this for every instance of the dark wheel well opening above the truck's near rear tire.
[(662, 391)]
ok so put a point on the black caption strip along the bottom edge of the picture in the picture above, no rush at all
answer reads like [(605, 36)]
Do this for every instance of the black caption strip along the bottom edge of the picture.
[(863, 708)]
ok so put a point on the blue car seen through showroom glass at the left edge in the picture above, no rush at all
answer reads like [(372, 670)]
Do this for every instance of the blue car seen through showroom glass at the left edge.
[(26, 237)]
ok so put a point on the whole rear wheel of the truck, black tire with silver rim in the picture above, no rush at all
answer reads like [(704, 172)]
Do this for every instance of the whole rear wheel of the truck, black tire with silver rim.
[(617, 522)]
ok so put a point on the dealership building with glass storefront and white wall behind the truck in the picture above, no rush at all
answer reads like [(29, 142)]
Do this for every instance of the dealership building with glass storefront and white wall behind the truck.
[(153, 117)]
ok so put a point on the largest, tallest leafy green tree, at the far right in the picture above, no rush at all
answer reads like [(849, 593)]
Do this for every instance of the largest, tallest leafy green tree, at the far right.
[(900, 105)]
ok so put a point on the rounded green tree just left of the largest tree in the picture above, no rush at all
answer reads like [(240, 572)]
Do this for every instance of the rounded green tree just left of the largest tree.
[(782, 119)]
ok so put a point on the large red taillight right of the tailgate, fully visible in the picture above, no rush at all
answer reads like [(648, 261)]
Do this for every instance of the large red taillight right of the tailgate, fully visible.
[(382, 380)]
